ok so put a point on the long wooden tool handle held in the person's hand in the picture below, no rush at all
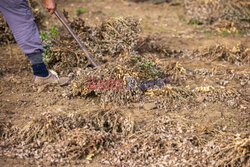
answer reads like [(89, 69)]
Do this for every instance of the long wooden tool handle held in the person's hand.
[(87, 54)]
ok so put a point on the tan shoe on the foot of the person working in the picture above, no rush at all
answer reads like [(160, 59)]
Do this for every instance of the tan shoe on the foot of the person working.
[(51, 78)]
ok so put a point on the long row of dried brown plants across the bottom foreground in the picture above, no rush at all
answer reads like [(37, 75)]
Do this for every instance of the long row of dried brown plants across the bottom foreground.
[(60, 137)]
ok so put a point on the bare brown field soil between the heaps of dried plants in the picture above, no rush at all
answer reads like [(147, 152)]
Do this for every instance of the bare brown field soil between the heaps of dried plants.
[(20, 101)]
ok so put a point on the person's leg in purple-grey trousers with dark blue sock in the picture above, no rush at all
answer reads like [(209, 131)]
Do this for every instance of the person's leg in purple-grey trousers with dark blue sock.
[(21, 21)]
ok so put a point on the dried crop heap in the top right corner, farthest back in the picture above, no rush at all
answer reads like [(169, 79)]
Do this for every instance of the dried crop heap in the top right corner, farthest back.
[(237, 12)]
